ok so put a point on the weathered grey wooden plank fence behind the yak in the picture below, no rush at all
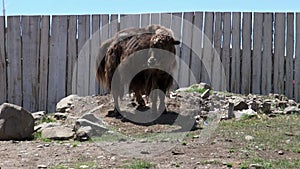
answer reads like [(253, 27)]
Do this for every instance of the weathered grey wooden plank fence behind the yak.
[(45, 58)]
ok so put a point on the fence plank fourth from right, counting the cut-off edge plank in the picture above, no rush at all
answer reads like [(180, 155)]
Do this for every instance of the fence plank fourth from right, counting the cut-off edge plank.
[(266, 80)]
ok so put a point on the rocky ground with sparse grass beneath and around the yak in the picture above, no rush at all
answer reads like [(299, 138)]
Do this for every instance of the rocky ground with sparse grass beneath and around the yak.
[(201, 129)]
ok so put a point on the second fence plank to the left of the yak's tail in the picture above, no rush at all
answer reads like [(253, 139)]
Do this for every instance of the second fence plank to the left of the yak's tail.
[(83, 55)]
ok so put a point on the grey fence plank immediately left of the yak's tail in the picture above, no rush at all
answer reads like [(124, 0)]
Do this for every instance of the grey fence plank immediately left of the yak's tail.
[(95, 43)]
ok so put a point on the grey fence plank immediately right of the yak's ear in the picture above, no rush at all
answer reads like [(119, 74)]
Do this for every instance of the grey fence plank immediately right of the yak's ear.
[(187, 29)]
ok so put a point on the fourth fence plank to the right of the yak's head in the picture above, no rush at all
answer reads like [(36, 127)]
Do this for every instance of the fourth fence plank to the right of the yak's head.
[(218, 79)]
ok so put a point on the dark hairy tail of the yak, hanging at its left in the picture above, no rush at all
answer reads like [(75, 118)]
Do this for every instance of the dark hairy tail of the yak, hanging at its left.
[(100, 62)]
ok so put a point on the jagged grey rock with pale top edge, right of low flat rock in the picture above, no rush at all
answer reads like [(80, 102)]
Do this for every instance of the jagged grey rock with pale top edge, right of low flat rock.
[(97, 129)]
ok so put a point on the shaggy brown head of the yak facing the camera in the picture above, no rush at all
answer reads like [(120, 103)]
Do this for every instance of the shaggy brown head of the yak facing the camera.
[(162, 51)]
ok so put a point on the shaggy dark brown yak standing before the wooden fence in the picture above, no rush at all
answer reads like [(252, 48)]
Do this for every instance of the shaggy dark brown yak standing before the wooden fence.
[(142, 58)]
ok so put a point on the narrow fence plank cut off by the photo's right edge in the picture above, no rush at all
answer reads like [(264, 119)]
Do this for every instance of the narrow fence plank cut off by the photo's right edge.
[(297, 59)]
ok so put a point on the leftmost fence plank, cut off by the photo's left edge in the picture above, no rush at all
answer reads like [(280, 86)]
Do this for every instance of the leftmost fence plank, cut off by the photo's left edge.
[(3, 87)]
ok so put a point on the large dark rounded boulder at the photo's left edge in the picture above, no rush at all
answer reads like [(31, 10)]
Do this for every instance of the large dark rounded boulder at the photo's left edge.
[(15, 122)]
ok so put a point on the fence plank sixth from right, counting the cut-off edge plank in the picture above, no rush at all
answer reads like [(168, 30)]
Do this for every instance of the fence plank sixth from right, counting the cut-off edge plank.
[(246, 54)]
